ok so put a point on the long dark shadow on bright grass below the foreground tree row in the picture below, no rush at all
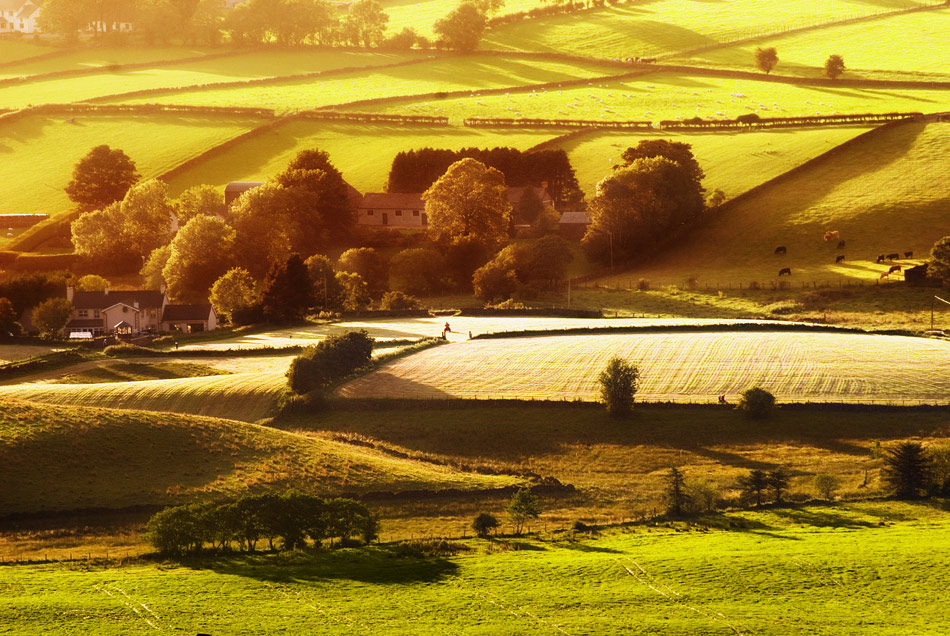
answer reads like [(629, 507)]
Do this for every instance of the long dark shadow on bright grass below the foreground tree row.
[(366, 565)]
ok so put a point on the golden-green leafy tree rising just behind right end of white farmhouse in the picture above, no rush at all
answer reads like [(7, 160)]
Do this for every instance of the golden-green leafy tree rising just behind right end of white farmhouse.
[(200, 254)]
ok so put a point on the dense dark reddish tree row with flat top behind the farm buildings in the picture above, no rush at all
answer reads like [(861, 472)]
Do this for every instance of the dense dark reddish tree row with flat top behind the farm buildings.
[(417, 170)]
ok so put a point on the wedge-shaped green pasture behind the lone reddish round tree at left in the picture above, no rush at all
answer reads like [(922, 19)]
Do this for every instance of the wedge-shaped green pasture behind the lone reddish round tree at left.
[(39, 152)]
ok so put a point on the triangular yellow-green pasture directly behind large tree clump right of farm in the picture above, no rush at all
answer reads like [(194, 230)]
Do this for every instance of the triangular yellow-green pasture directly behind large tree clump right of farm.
[(733, 161)]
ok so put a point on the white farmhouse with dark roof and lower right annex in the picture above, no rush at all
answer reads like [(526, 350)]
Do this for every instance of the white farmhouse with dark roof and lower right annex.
[(132, 312)]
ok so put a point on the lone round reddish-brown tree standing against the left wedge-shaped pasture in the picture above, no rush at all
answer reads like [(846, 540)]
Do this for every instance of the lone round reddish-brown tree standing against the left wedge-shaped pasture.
[(102, 177)]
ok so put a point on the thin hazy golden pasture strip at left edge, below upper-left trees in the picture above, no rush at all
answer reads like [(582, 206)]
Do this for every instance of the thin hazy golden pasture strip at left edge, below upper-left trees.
[(100, 58)]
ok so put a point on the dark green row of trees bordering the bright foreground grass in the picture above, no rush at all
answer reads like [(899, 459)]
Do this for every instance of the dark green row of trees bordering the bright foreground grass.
[(291, 519)]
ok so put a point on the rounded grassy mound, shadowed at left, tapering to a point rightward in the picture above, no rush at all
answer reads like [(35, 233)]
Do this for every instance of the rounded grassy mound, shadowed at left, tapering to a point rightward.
[(67, 458)]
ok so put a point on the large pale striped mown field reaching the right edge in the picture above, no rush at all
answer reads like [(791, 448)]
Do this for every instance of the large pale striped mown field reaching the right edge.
[(690, 367)]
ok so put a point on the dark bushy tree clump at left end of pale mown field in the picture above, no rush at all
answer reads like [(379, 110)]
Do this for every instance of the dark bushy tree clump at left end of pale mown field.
[(329, 361)]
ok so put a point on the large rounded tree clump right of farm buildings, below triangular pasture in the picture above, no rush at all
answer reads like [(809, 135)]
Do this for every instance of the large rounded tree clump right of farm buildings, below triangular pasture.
[(650, 200)]
